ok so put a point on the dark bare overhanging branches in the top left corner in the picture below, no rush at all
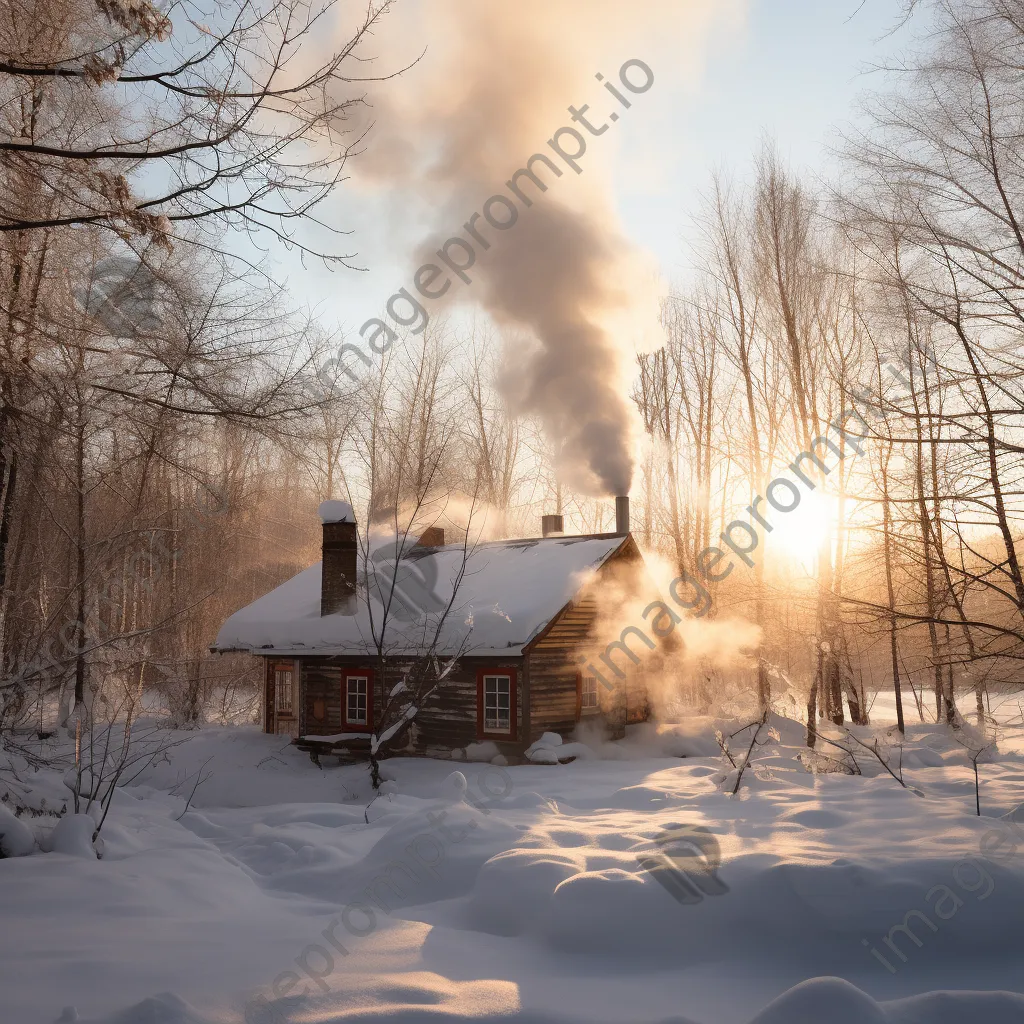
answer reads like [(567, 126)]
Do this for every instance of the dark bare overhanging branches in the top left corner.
[(226, 107)]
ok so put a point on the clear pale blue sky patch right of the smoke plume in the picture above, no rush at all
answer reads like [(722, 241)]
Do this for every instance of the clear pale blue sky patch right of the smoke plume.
[(794, 73)]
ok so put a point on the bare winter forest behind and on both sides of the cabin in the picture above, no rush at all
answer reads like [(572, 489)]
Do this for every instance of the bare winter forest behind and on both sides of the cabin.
[(166, 433)]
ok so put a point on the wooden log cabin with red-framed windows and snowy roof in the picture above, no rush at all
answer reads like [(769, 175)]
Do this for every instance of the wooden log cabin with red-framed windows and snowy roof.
[(526, 620)]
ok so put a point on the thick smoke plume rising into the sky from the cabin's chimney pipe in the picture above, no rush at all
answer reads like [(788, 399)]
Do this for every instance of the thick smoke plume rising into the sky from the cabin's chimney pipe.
[(574, 297)]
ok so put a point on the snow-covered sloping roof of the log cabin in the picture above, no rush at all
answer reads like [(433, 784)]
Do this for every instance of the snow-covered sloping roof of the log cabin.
[(509, 593)]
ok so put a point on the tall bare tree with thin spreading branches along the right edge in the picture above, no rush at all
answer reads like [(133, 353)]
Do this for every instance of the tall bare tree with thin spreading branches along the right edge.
[(938, 177)]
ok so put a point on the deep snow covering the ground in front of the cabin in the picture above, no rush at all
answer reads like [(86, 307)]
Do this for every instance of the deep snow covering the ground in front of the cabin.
[(480, 892)]
